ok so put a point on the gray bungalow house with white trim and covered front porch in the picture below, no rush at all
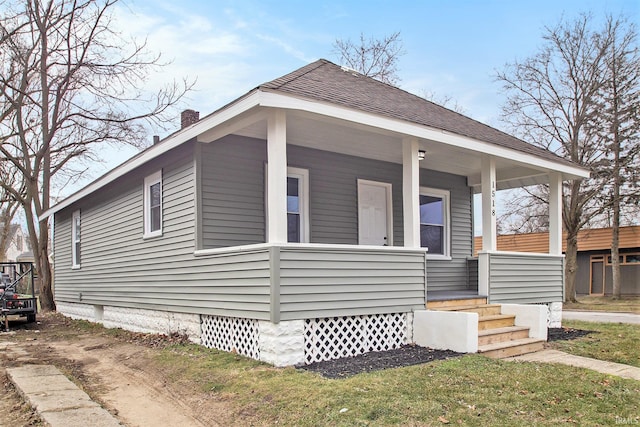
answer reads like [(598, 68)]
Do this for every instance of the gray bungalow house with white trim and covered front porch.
[(311, 218)]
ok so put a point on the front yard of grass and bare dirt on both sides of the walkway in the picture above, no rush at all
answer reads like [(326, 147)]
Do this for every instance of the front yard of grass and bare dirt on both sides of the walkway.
[(228, 389)]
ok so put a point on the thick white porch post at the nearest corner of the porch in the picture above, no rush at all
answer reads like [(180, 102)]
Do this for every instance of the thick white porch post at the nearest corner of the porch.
[(276, 211)]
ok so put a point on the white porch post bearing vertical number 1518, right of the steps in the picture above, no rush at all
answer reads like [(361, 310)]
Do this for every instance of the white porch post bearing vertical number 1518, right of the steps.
[(489, 234)]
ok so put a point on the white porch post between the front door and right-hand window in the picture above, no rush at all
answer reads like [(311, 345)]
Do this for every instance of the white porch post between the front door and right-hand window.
[(411, 192)]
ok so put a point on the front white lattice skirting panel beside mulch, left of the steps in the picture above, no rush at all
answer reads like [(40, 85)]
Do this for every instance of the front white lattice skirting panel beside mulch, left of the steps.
[(336, 337)]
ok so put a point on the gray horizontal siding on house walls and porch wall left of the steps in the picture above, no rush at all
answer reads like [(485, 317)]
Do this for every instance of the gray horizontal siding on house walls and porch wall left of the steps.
[(224, 182)]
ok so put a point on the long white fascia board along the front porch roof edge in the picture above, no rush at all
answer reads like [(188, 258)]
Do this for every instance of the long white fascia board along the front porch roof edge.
[(276, 100)]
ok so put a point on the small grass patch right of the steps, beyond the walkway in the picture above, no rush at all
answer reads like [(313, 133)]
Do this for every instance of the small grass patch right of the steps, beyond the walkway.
[(613, 342)]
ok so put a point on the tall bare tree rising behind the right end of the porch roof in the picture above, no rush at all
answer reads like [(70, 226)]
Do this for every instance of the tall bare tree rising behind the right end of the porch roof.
[(553, 98)]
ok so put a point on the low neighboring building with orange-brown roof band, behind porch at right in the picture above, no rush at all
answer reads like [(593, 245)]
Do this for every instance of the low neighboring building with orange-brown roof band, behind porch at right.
[(594, 257)]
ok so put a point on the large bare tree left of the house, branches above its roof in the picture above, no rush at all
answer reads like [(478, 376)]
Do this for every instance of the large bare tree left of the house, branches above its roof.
[(69, 84)]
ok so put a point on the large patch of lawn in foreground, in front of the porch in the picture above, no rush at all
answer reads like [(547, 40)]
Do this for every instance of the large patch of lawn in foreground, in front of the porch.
[(470, 390)]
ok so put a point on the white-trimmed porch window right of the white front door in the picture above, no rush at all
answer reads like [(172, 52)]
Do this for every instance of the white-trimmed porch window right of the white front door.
[(435, 227)]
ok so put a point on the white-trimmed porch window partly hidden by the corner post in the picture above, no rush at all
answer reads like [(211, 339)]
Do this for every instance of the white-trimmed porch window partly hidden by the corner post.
[(297, 205)]
